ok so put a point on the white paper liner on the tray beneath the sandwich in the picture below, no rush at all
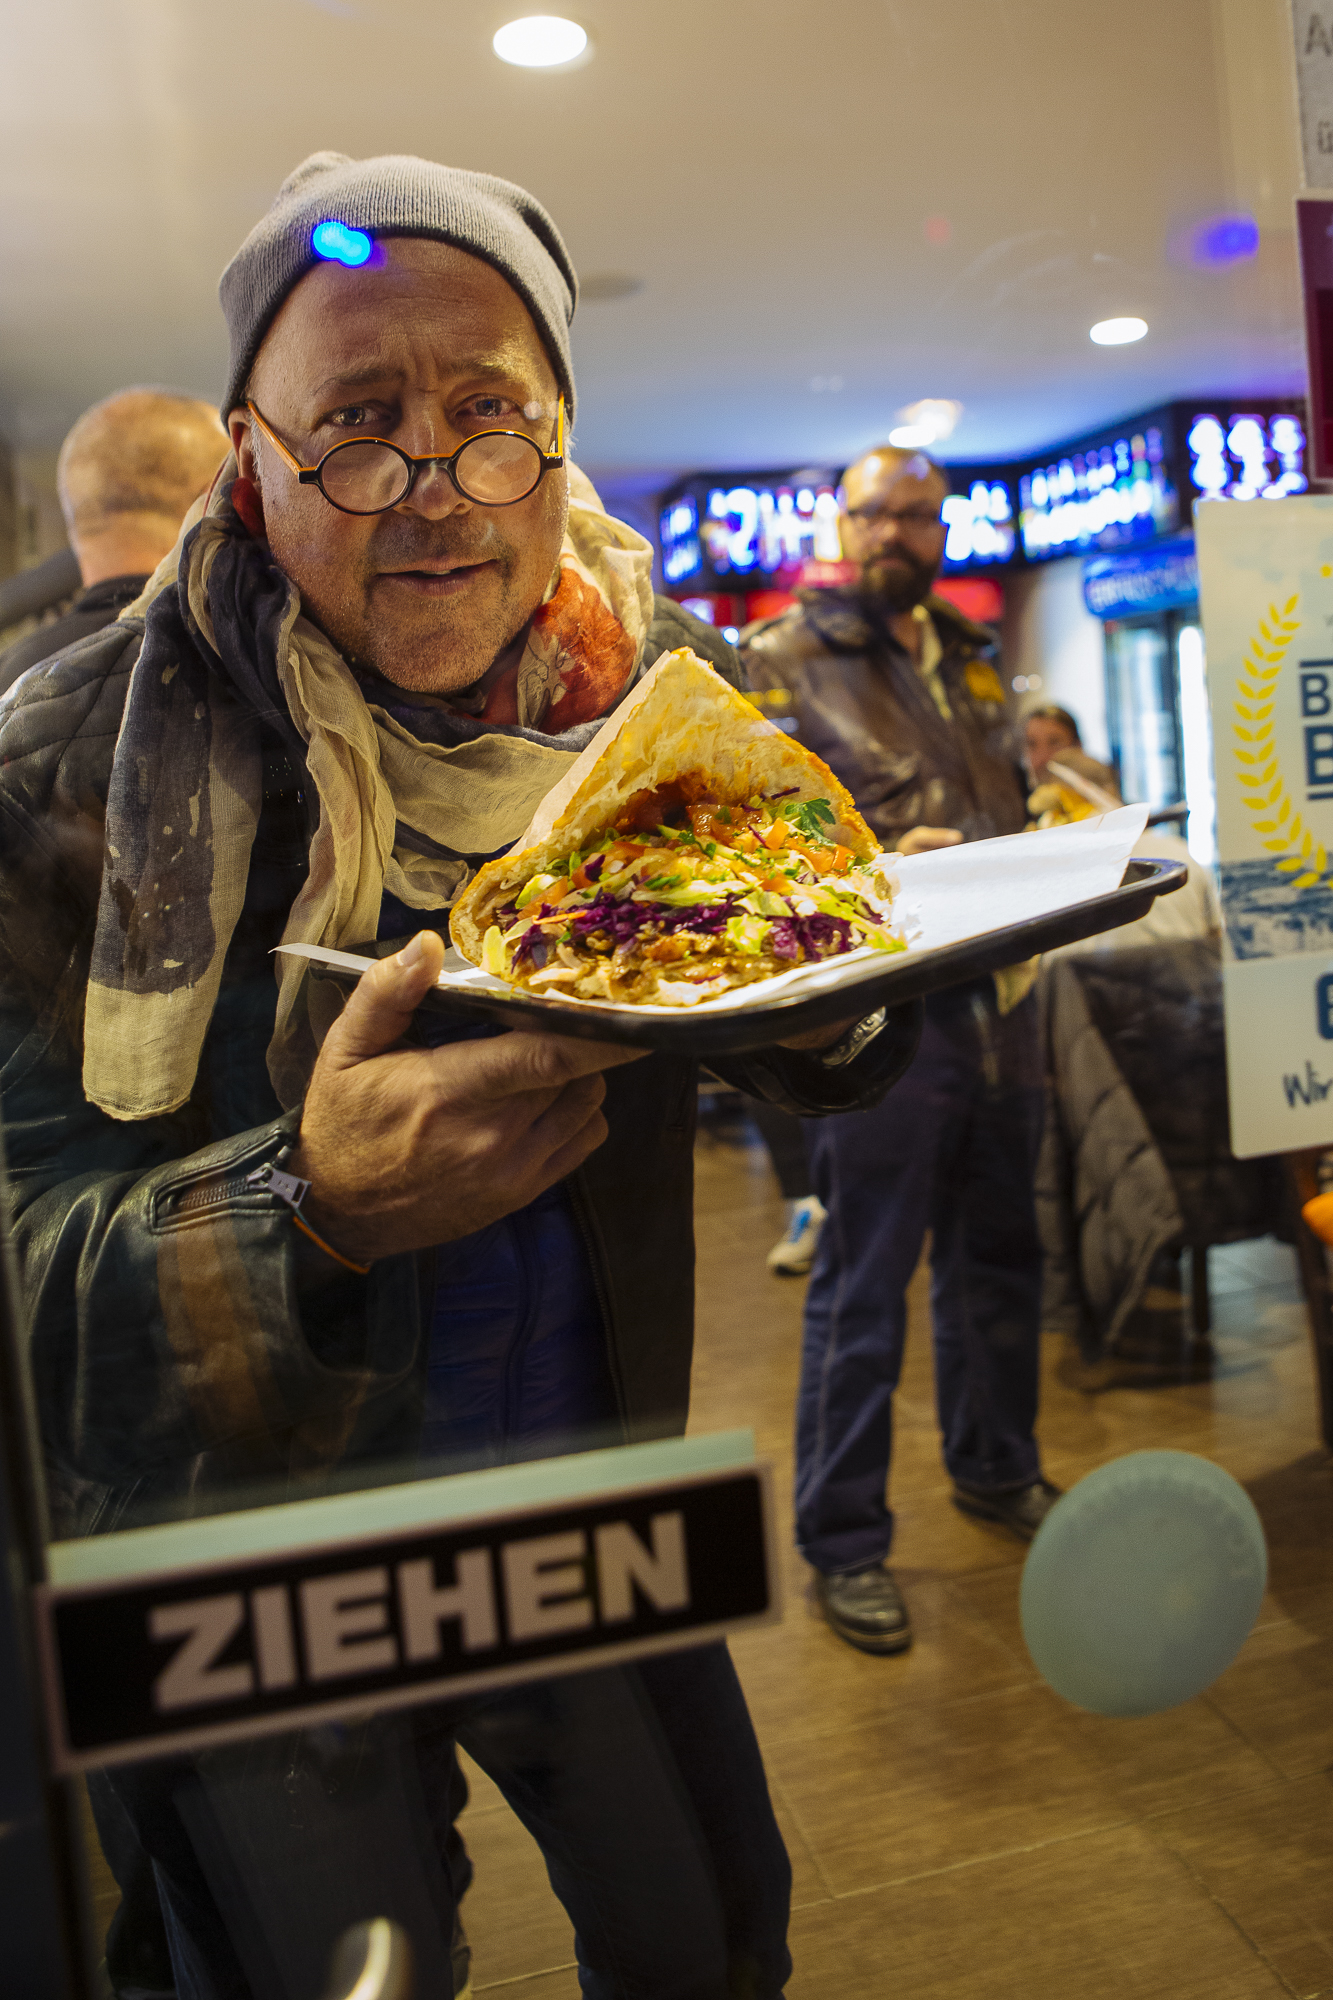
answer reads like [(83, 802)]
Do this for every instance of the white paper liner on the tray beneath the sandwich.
[(944, 899)]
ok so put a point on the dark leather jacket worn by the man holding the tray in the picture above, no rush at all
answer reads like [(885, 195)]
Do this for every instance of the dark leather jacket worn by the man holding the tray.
[(185, 1341)]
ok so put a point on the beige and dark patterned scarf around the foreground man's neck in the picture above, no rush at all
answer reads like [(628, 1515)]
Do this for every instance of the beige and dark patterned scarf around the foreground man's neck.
[(411, 791)]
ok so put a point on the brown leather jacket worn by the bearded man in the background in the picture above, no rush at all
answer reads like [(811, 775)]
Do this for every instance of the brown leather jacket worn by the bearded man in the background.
[(860, 703)]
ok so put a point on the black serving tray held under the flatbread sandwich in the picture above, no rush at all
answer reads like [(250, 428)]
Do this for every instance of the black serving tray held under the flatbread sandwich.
[(868, 985)]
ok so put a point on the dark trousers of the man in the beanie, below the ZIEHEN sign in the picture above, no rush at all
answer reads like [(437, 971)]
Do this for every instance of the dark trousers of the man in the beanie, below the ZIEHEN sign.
[(643, 1787)]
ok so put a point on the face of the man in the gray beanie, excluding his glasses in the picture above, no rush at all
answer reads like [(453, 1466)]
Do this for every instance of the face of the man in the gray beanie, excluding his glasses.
[(423, 347)]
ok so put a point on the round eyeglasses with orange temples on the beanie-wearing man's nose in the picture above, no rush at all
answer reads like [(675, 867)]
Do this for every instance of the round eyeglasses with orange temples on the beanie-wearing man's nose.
[(371, 475)]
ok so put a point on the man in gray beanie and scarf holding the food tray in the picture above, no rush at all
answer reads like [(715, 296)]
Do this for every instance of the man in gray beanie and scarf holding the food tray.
[(269, 1247)]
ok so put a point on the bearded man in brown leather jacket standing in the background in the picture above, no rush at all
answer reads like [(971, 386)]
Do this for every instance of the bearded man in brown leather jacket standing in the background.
[(902, 697)]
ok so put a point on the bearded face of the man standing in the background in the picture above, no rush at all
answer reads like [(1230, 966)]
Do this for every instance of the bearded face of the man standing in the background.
[(892, 527)]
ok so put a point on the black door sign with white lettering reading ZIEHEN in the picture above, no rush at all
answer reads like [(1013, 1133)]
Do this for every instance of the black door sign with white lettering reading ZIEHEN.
[(165, 1663)]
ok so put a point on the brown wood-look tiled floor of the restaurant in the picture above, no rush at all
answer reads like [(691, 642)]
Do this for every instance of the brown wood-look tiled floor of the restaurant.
[(958, 1833)]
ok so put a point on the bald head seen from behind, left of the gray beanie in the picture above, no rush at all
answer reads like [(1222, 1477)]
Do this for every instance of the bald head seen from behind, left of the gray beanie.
[(127, 475)]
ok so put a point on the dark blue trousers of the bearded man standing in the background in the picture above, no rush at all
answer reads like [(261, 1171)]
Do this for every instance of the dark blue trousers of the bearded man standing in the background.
[(952, 1151)]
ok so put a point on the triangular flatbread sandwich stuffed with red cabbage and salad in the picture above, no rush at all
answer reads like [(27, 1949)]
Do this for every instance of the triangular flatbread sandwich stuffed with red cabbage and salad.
[(694, 849)]
